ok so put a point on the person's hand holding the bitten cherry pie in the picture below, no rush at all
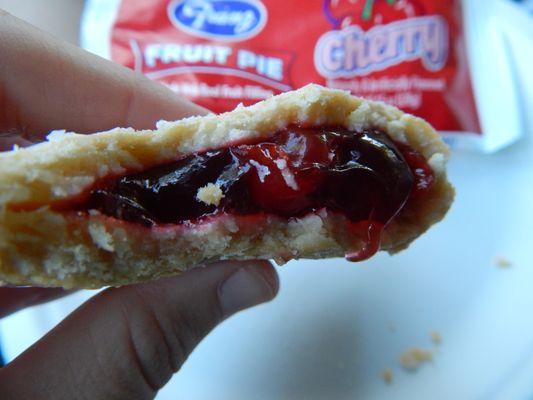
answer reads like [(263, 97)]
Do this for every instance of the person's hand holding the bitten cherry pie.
[(126, 342)]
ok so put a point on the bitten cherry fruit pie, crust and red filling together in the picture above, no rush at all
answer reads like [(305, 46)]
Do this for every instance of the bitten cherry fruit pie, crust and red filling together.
[(312, 173)]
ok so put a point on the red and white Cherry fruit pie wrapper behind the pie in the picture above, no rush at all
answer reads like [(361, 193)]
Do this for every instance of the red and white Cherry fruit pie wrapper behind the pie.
[(424, 56)]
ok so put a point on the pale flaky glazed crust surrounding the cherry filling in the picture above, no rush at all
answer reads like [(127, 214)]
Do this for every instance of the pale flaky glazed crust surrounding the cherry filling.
[(39, 246)]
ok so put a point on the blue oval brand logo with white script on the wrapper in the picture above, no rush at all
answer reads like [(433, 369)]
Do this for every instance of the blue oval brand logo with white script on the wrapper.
[(228, 20)]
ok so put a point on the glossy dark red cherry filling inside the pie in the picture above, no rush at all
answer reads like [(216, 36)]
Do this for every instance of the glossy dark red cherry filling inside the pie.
[(364, 175)]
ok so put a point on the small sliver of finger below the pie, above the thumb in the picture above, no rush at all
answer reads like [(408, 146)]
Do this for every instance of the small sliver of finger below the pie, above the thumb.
[(15, 299)]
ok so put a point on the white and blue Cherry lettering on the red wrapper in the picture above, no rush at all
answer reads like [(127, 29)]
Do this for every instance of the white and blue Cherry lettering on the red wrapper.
[(351, 51)]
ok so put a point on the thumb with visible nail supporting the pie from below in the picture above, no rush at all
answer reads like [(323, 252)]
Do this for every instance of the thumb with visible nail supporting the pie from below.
[(126, 343)]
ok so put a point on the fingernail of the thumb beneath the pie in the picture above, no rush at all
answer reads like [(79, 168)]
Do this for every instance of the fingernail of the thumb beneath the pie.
[(246, 287)]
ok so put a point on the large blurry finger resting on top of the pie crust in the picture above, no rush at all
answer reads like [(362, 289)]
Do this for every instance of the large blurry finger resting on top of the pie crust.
[(47, 84)]
